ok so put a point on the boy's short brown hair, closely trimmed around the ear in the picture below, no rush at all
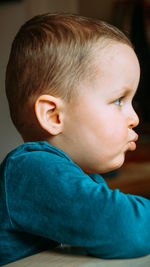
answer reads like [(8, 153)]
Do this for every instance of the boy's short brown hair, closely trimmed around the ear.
[(50, 55)]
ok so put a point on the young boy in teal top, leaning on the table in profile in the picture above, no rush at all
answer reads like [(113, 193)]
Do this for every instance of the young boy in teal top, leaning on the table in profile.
[(70, 82)]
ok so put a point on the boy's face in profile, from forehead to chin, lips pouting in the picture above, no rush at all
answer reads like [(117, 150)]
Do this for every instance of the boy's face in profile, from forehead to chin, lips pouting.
[(99, 127)]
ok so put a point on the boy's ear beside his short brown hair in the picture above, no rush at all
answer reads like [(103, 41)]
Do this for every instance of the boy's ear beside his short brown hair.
[(49, 113)]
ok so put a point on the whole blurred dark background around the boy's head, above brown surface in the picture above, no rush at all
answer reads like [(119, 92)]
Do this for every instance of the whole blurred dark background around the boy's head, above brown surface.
[(131, 16)]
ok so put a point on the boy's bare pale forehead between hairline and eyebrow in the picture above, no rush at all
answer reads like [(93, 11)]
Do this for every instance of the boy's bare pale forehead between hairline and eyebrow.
[(117, 61)]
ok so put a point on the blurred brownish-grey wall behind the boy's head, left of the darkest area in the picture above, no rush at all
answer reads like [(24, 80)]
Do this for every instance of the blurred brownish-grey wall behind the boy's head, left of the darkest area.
[(12, 16)]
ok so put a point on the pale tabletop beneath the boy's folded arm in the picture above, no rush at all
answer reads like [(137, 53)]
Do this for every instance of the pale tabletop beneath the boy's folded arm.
[(75, 257)]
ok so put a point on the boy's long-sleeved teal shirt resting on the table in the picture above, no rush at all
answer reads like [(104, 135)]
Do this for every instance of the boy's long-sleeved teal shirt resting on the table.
[(46, 199)]
